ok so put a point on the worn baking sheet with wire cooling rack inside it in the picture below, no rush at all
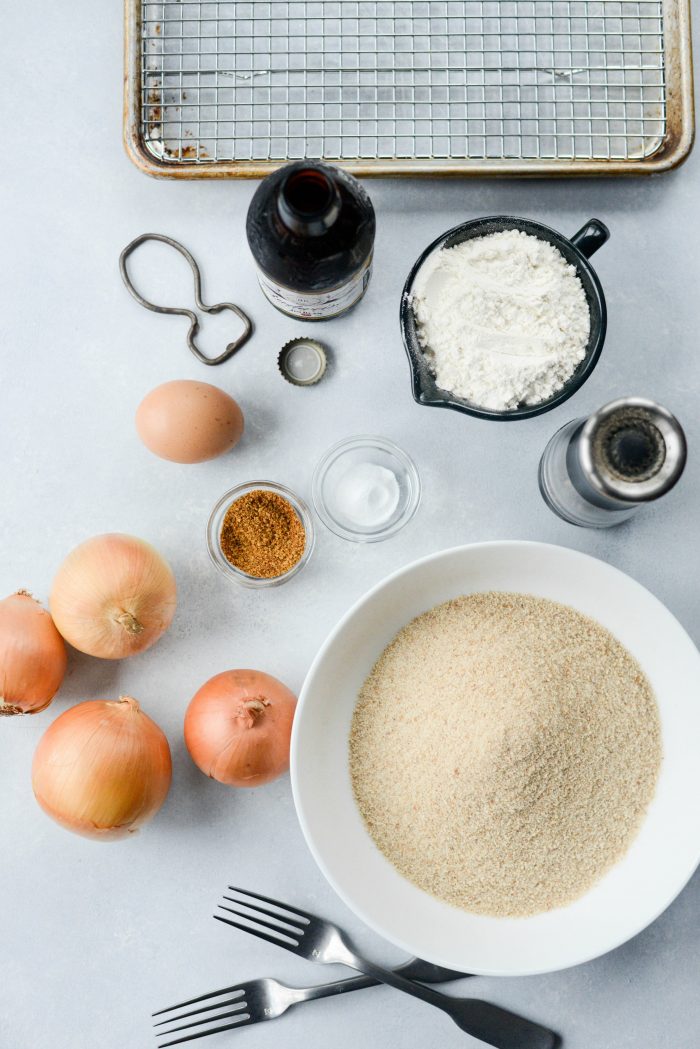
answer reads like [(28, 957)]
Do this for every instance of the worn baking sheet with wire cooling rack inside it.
[(237, 88)]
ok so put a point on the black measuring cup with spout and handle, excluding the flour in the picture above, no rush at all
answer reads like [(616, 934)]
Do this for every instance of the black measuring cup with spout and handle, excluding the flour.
[(577, 251)]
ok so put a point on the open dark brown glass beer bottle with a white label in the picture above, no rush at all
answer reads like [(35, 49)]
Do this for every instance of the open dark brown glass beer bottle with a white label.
[(311, 229)]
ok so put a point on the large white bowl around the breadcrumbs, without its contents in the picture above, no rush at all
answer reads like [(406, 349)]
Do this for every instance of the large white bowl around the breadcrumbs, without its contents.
[(661, 861)]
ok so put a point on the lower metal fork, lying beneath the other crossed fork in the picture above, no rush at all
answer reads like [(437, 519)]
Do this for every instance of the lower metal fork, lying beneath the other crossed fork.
[(267, 999)]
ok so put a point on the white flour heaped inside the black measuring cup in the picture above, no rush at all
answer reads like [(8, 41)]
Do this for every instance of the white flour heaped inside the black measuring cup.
[(503, 319)]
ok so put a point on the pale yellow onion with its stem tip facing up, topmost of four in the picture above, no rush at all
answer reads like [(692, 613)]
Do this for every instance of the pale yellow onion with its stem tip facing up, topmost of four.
[(114, 596)]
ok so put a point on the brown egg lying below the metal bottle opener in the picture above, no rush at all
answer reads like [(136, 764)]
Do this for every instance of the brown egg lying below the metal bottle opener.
[(189, 422)]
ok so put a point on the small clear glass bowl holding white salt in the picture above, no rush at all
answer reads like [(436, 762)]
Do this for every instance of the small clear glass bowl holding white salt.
[(366, 489)]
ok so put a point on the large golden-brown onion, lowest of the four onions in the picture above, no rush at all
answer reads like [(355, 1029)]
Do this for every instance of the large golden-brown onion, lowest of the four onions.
[(102, 769)]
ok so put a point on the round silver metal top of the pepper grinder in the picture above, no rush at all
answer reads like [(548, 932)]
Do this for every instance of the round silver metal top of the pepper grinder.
[(632, 451)]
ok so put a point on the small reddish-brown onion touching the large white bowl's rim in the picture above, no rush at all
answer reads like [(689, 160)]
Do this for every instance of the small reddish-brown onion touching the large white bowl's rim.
[(238, 729)]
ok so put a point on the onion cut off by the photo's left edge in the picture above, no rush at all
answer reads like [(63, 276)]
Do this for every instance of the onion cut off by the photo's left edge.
[(33, 656)]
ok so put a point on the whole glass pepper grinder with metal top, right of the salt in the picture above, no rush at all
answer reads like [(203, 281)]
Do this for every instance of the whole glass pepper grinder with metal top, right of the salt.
[(597, 473)]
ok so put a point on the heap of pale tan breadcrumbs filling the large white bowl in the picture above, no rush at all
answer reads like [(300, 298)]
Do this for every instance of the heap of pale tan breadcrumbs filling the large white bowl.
[(504, 752)]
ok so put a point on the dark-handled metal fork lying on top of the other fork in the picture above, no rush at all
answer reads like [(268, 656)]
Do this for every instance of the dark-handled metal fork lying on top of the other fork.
[(322, 941)]
